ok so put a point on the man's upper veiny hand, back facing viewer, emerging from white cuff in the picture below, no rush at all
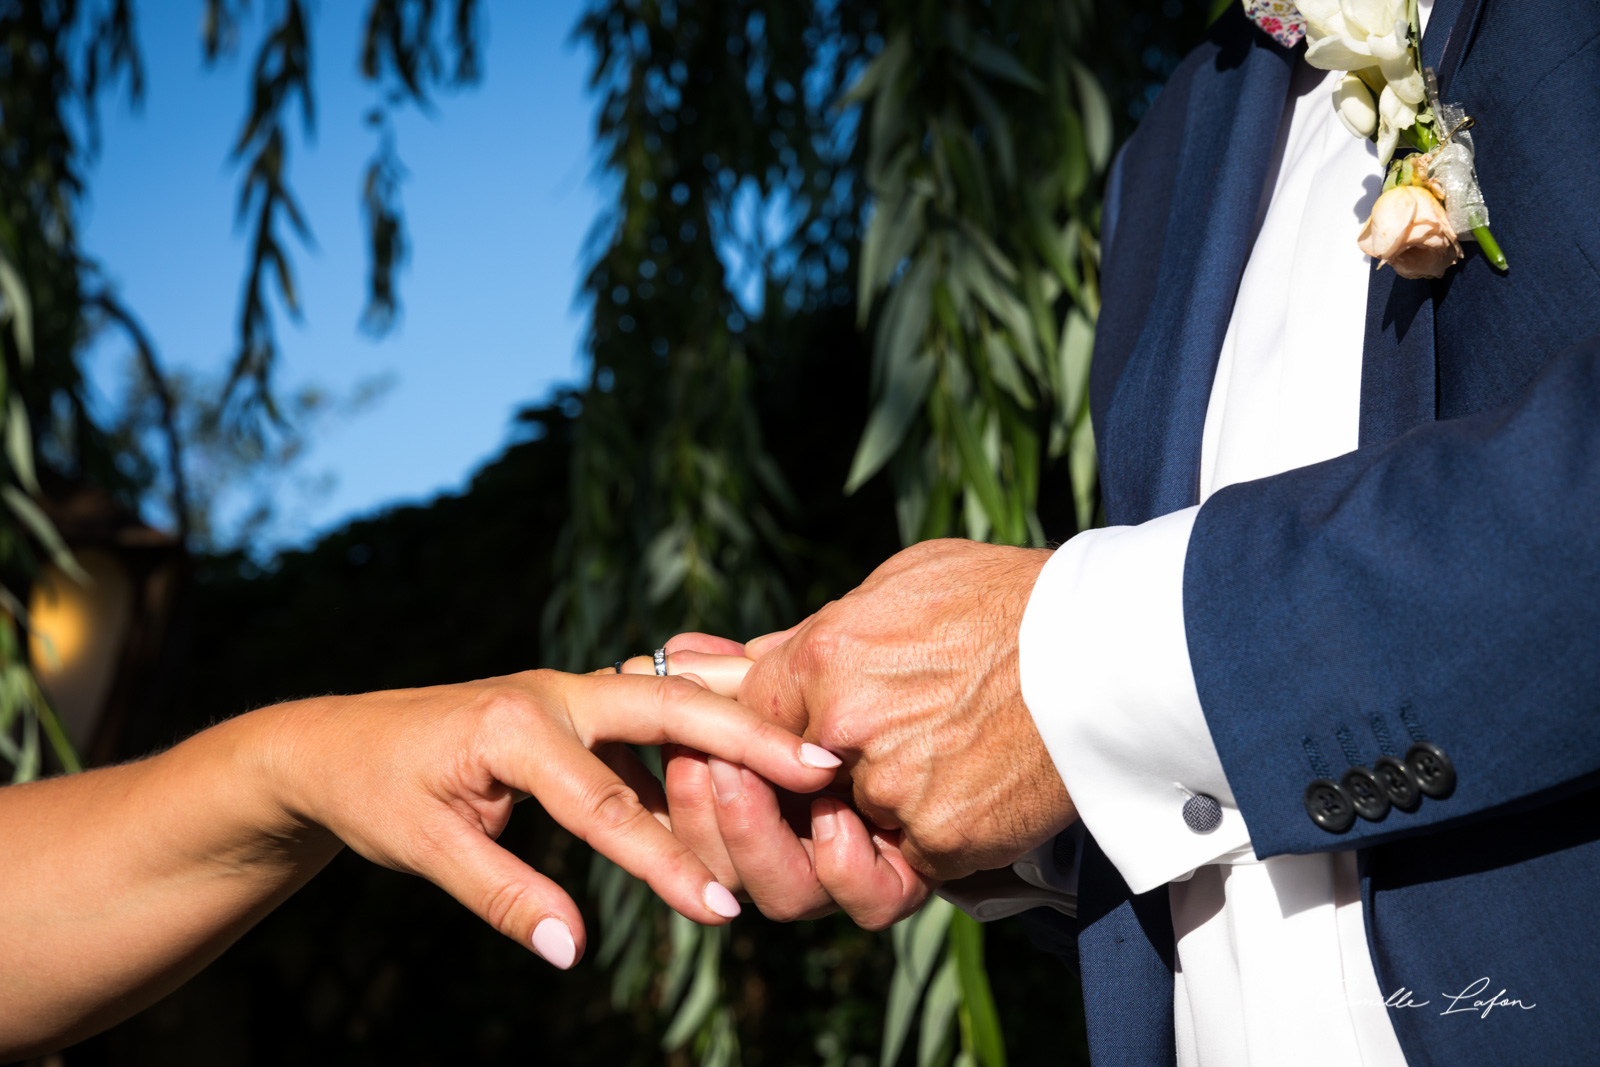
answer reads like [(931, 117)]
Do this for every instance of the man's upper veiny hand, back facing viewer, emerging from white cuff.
[(914, 681)]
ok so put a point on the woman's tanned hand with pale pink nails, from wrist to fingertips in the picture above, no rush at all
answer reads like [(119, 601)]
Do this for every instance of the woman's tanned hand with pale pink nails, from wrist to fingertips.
[(425, 780)]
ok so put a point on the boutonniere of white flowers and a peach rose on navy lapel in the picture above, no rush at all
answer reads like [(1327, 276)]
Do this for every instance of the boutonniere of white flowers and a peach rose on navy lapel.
[(1431, 199)]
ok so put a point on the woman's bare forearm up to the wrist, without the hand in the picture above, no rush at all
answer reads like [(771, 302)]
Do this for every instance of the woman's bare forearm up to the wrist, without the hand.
[(122, 884)]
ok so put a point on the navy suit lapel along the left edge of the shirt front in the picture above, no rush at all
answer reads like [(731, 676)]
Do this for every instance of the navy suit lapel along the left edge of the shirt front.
[(1158, 414)]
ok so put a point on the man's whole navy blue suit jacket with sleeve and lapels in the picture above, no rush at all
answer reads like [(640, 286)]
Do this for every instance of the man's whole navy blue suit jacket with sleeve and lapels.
[(1441, 580)]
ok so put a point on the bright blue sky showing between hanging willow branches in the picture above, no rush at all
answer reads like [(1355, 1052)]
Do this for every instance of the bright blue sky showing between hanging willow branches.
[(498, 202)]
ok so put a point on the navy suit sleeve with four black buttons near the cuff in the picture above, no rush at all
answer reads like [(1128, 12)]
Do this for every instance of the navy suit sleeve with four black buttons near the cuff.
[(1444, 586)]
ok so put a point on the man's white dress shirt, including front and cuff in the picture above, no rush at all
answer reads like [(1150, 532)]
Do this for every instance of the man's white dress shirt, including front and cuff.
[(1273, 959)]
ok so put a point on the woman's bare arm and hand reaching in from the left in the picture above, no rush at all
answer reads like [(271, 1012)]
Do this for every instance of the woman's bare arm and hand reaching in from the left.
[(122, 884)]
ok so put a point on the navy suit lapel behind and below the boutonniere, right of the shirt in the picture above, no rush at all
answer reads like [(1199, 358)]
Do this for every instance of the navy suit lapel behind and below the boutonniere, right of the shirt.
[(1399, 362)]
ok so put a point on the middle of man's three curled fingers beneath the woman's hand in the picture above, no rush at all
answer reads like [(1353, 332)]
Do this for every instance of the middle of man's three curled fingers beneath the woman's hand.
[(774, 865)]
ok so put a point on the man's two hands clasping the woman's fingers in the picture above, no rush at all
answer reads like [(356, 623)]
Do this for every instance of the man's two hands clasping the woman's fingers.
[(914, 676)]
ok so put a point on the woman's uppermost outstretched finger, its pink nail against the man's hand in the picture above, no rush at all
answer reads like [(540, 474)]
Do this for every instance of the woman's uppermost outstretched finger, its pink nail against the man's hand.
[(657, 711)]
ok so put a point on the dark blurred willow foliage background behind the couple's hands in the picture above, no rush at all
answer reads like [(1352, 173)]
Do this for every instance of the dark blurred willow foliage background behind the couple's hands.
[(842, 302)]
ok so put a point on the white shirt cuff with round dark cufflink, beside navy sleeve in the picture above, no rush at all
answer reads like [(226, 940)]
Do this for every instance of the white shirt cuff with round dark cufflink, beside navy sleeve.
[(1106, 676)]
